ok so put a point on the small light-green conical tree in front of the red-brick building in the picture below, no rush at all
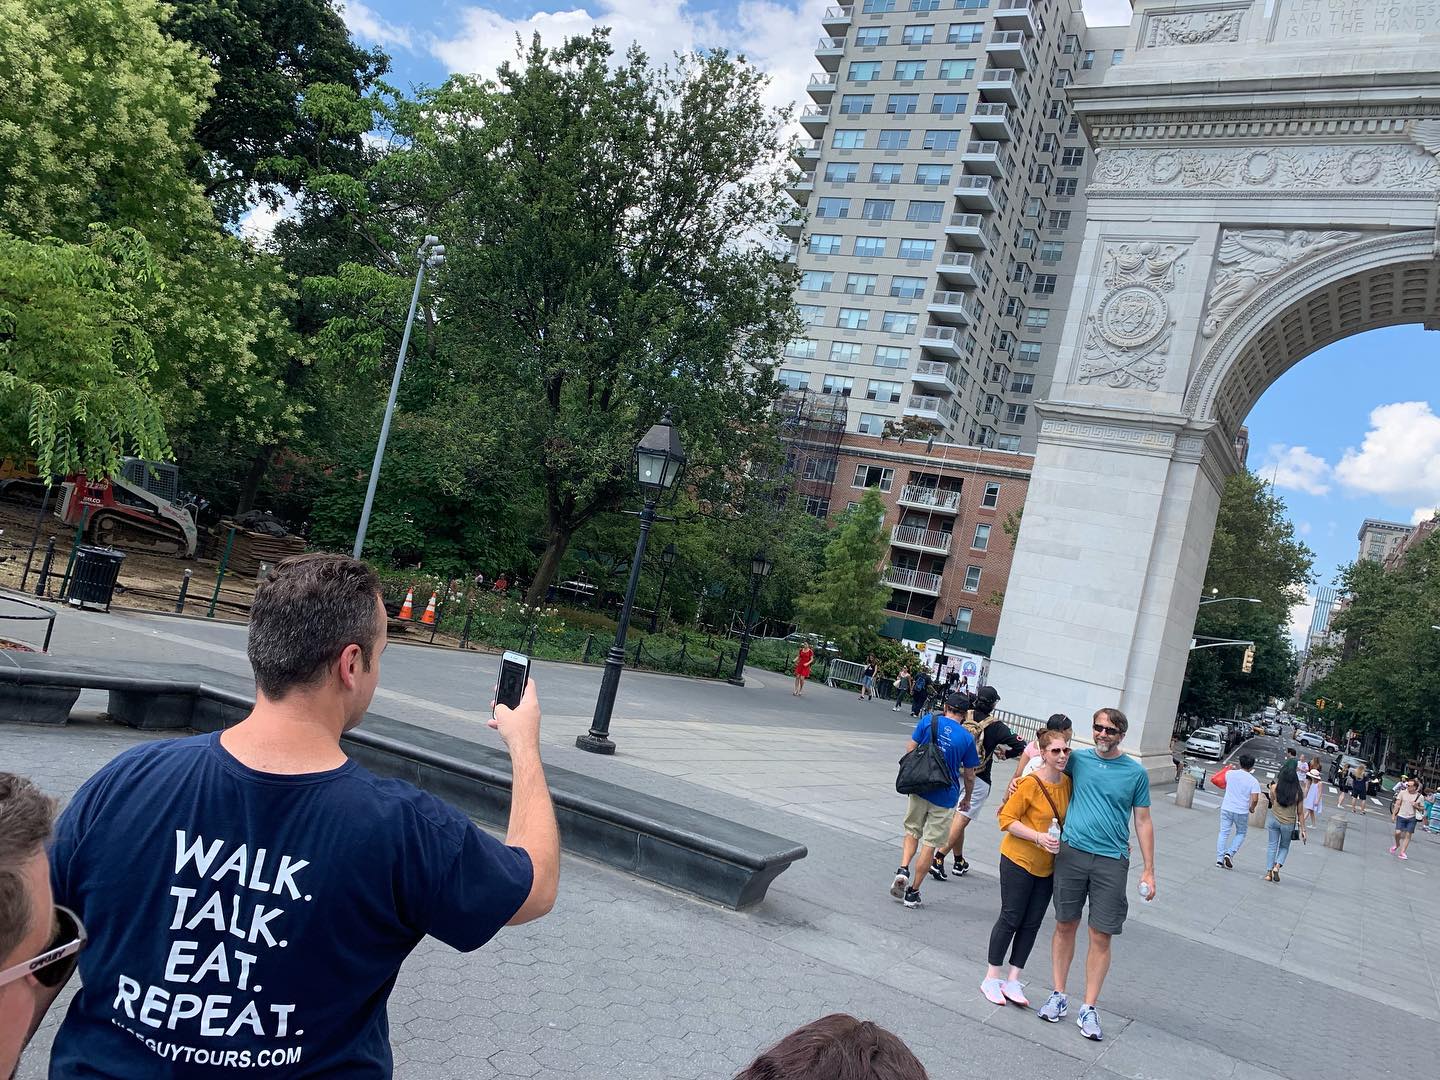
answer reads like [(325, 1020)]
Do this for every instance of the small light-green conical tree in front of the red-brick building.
[(847, 606)]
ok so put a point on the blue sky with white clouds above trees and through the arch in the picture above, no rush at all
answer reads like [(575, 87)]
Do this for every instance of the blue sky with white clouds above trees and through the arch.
[(1347, 434)]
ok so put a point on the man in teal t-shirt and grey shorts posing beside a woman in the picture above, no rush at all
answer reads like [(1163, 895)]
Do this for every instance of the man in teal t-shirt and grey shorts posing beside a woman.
[(1095, 860)]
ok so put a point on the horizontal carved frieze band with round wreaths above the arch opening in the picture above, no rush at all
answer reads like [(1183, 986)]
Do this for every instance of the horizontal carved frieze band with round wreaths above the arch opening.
[(1366, 169)]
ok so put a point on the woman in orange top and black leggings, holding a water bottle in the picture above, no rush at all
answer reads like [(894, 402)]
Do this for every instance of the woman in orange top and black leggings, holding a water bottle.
[(1030, 820)]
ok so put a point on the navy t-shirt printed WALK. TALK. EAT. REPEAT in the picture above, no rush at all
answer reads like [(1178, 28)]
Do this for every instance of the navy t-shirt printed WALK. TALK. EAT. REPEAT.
[(251, 925)]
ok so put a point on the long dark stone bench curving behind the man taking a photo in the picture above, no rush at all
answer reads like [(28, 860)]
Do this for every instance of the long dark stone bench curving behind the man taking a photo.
[(653, 839)]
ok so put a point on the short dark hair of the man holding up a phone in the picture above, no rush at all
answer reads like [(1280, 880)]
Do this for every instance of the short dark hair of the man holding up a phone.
[(306, 614)]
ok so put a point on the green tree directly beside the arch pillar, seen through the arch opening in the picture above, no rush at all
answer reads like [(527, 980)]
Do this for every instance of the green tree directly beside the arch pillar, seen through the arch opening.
[(1255, 555)]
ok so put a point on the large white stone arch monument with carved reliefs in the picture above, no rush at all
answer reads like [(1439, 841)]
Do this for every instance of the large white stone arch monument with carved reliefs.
[(1266, 184)]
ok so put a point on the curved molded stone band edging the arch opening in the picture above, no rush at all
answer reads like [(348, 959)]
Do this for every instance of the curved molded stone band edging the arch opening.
[(1269, 302)]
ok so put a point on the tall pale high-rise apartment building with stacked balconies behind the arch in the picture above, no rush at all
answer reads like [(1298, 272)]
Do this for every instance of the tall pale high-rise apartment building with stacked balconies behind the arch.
[(944, 181)]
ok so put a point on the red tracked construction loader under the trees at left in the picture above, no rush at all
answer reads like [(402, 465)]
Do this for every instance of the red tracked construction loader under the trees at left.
[(140, 510)]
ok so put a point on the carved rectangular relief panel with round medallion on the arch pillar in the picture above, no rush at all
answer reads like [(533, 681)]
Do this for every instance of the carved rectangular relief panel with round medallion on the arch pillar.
[(1128, 335)]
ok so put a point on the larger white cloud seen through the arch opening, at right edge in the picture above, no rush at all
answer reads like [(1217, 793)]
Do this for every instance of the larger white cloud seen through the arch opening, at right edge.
[(1399, 457)]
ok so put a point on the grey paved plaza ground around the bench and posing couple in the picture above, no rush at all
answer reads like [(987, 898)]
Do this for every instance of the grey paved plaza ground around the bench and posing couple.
[(1334, 971)]
